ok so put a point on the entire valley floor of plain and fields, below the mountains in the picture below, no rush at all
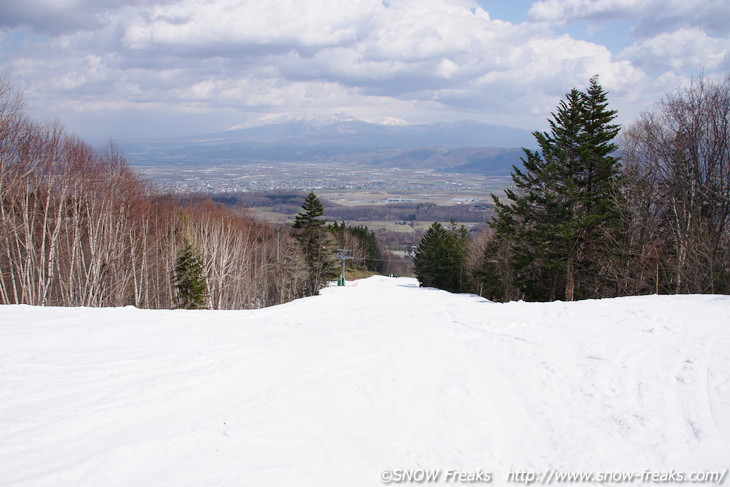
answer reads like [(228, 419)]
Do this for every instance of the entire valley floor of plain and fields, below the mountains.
[(386, 200)]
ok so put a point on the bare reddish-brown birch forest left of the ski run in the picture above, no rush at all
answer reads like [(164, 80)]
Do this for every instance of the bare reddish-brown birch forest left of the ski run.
[(79, 228)]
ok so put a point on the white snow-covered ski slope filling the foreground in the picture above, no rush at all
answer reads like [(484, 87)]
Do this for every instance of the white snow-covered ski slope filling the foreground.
[(330, 390)]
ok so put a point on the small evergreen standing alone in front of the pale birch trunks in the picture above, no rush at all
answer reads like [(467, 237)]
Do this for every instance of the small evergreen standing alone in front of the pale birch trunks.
[(189, 277)]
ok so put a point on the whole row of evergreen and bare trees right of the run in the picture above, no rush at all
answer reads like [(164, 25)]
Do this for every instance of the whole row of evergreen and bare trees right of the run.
[(599, 212)]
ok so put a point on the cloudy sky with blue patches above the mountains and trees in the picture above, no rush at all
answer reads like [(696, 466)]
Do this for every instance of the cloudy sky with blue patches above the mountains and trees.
[(154, 68)]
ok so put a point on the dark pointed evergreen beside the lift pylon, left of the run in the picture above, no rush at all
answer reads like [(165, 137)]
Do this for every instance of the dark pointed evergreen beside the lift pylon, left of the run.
[(316, 245)]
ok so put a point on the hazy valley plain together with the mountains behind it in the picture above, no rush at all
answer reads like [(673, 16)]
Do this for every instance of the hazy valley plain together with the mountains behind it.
[(396, 180)]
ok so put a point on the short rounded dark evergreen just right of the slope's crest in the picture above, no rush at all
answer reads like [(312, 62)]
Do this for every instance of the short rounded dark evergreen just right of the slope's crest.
[(440, 259)]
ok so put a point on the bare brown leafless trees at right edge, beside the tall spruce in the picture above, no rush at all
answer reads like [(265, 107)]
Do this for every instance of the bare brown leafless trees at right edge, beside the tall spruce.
[(677, 161)]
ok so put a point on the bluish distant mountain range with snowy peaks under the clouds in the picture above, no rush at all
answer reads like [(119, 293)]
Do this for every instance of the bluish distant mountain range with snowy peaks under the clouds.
[(465, 146)]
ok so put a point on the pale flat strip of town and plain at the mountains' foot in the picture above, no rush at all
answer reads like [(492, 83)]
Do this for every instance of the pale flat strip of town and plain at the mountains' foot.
[(345, 183)]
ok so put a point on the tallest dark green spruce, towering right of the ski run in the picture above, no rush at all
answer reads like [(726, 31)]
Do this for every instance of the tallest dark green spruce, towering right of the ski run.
[(563, 213)]
